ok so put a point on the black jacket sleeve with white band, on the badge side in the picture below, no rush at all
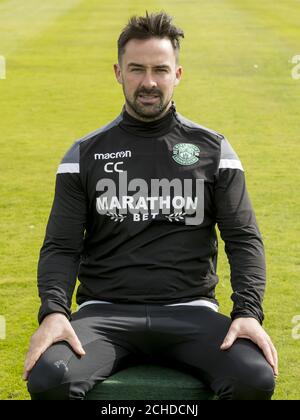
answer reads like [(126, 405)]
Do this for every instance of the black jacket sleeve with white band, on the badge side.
[(239, 230)]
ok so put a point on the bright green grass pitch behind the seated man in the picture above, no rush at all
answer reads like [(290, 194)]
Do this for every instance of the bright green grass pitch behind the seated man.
[(60, 85)]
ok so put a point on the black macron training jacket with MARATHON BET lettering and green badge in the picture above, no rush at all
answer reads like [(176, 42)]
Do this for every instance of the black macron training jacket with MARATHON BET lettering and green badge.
[(134, 215)]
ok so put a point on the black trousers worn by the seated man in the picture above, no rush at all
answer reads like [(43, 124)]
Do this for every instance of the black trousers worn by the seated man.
[(186, 337)]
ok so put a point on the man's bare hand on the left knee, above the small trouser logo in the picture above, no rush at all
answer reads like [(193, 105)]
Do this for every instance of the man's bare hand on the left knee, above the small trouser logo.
[(54, 328)]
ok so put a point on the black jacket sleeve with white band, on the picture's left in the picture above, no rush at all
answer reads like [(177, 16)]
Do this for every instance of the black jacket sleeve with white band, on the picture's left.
[(63, 244)]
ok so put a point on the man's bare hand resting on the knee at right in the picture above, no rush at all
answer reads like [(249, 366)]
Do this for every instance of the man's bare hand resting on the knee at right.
[(250, 328)]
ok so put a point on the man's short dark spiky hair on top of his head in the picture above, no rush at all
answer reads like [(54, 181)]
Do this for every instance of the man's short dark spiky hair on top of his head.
[(153, 25)]
